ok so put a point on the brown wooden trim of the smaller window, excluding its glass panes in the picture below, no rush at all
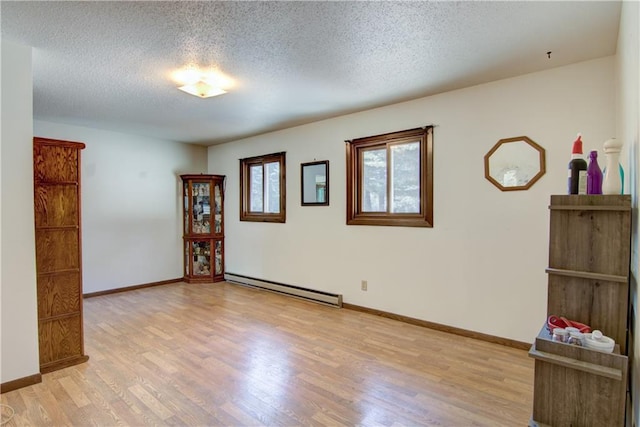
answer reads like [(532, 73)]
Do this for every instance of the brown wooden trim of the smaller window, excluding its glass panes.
[(245, 213)]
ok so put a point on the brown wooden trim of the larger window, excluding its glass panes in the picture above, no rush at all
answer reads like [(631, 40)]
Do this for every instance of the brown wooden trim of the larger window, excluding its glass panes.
[(355, 147)]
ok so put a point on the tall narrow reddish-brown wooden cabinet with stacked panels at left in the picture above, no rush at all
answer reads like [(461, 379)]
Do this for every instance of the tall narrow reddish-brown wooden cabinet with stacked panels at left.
[(56, 167)]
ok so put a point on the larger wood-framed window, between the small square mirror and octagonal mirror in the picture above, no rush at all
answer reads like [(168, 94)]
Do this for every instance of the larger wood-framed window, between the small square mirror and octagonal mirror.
[(390, 179)]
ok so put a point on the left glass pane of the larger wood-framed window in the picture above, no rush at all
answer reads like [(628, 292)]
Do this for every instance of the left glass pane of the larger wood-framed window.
[(374, 180)]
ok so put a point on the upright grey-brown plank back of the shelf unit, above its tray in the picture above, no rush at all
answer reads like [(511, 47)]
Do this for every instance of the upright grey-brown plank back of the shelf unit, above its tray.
[(591, 241)]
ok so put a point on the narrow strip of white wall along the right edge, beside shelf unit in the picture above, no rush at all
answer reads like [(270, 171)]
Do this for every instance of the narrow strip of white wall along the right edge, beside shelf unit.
[(628, 130)]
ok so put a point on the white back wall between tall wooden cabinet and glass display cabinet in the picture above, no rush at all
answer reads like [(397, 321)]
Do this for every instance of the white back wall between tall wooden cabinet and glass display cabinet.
[(131, 207)]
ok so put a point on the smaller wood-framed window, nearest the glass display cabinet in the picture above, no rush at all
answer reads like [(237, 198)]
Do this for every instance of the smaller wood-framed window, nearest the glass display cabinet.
[(262, 188)]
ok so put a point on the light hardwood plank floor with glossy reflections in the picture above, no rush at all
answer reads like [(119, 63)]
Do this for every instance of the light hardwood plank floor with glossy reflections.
[(223, 354)]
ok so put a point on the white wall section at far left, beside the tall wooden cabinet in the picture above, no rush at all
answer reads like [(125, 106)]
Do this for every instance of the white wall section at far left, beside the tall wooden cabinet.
[(19, 326)]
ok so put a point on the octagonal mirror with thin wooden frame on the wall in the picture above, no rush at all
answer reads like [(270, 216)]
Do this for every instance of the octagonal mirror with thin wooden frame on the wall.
[(514, 163)]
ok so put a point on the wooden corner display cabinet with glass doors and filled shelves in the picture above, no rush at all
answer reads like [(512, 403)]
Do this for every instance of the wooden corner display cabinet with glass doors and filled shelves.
[(203, 212)]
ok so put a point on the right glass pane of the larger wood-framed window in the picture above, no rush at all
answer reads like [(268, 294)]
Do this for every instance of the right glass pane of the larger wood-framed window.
[(405, 178)]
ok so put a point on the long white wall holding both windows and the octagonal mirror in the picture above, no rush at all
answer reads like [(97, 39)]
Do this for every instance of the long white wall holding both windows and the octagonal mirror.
[(481, 267)]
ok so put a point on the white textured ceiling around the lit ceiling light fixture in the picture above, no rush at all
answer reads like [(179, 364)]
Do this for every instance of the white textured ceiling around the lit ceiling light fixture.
[(108, 65)]
